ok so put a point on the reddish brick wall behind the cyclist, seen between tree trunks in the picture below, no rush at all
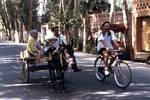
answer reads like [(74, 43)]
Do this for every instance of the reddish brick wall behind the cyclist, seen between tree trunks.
[(94, 21)]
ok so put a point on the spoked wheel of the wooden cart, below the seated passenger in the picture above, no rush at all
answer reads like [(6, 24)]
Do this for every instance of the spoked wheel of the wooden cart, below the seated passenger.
[(25, 72)]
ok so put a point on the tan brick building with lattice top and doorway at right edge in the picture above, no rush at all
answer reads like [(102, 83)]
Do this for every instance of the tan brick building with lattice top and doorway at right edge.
[(141, 28)]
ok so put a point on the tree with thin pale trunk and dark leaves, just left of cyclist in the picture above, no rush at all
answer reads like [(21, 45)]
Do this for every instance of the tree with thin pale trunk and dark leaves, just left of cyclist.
[(88, 7)]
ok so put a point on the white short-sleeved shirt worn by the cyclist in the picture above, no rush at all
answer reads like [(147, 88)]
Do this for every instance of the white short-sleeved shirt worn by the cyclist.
[(107, 40)]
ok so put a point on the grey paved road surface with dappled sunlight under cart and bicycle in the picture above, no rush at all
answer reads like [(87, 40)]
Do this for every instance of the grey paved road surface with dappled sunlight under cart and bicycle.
[(81, 86)]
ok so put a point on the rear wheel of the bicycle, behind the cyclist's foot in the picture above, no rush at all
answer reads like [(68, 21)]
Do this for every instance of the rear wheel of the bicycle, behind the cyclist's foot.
[(99, 68)]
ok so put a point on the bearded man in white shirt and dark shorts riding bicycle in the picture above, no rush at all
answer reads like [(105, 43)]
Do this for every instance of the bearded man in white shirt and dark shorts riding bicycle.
[(106, 39)]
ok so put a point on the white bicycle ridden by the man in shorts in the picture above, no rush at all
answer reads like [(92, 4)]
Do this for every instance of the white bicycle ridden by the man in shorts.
[(120, 70)]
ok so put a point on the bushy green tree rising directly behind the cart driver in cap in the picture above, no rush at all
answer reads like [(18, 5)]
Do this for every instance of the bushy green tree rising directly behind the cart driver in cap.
[(63, 13)]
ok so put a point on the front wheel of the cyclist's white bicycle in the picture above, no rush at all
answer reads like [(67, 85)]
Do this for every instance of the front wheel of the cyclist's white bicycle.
[(122, 74)]
